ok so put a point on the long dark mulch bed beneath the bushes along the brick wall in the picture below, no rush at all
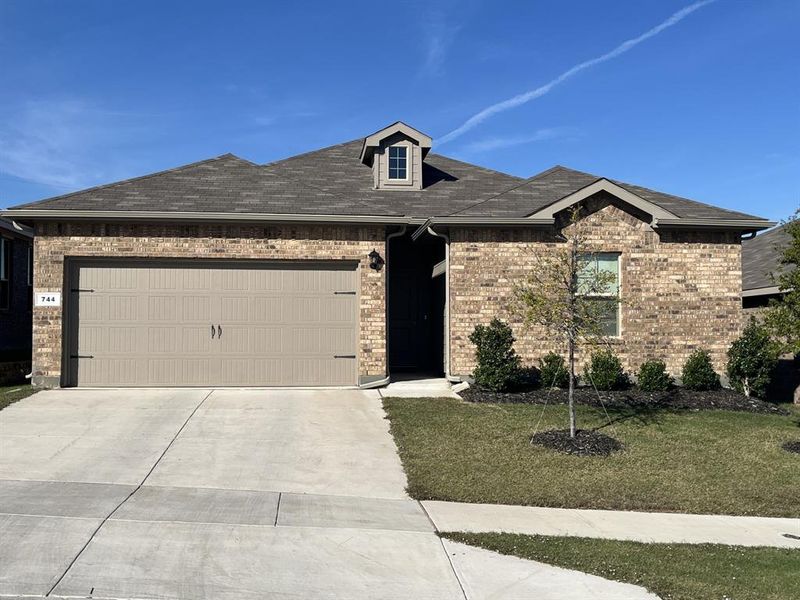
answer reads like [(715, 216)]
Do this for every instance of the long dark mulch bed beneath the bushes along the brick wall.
[(677, 398)]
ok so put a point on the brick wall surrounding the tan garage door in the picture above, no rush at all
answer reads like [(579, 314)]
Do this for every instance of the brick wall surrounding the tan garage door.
[(56, 241)]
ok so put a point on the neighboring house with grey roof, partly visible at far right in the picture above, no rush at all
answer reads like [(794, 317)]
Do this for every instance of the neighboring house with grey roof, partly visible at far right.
[(761, 258)]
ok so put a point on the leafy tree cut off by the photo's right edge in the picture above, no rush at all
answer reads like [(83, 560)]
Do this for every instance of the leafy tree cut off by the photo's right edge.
[(783, 316)]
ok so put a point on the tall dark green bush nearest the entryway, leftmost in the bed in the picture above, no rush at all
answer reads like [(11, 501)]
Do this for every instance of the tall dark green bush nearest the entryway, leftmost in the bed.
[(498, 366)]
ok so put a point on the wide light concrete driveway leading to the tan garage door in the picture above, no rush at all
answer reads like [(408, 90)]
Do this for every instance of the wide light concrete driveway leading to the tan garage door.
[(194, 494)]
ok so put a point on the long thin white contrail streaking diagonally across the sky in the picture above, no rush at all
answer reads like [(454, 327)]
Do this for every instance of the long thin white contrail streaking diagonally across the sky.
[(526, 97)]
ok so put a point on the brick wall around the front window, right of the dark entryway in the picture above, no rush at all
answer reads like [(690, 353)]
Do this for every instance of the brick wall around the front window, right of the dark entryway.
[(680, 290)]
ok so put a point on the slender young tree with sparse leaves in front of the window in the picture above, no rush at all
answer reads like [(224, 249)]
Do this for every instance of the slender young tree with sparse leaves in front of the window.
[(569, 295)]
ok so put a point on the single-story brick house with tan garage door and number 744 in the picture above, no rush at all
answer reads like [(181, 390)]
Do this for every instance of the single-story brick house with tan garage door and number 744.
[(352, 263)]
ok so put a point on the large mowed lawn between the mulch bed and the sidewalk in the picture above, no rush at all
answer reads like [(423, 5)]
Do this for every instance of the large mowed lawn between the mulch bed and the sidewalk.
[(716, 462)]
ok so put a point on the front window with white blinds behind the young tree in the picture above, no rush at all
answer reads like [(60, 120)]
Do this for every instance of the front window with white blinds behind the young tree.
[(599, 280)]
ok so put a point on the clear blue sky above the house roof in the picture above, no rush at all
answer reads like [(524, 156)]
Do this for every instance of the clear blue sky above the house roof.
[(707, 107)]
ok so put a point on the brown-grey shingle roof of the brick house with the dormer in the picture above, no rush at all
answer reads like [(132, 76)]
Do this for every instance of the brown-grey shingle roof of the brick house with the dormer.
[(333, 181)]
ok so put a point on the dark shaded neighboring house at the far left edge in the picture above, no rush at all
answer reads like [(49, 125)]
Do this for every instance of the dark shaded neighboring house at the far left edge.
[(16, 284)]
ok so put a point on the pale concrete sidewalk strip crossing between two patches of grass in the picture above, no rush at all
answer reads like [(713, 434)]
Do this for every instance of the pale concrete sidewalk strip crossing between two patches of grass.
[(618, 525)]
